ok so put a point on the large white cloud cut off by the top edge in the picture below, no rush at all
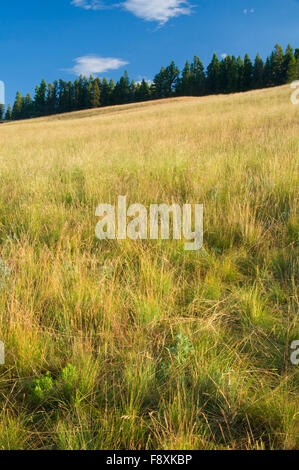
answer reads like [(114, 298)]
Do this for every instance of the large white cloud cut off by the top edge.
[(149, 10)]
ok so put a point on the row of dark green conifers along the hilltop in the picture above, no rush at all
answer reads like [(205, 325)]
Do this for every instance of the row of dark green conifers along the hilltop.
[(230, 74)]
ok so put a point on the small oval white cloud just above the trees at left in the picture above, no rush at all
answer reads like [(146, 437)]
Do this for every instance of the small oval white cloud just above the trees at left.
[(92, 64)]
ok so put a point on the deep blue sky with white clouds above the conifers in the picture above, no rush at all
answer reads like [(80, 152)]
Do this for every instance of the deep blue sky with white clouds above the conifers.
[(60, 38)]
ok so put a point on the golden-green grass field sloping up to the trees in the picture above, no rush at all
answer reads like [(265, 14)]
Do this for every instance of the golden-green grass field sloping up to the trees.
[(142, 345)]
